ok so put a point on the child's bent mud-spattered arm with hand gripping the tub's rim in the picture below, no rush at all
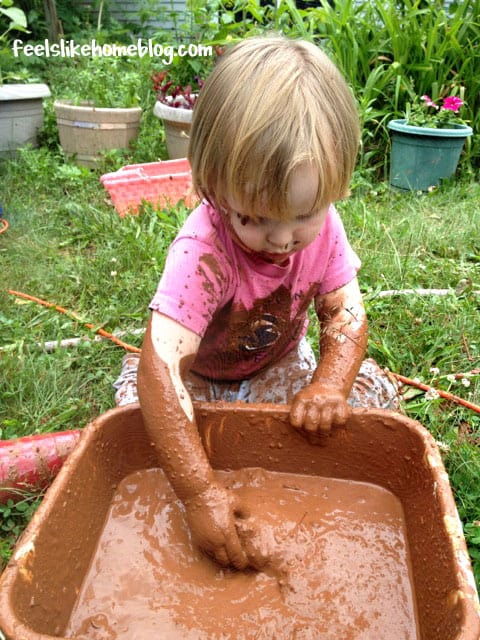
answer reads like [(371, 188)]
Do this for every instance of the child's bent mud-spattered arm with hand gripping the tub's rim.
[(343, 342)]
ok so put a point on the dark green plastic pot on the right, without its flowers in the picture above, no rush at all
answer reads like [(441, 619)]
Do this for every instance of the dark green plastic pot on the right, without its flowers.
[(421, 157)]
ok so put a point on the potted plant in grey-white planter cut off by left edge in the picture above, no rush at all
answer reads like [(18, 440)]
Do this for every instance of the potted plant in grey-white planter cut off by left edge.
[(21, 99)]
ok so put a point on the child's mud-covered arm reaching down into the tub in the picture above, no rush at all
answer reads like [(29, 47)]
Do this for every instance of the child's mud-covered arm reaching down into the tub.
[(167, 352)]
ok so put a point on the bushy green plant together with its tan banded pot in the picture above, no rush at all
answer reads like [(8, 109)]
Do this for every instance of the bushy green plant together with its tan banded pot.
[(99, 109)]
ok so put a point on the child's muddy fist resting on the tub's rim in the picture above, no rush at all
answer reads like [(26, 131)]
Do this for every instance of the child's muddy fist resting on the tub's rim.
[(318, 407)]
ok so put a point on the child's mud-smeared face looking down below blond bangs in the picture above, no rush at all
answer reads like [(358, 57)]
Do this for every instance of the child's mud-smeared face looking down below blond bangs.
[(276, 239)]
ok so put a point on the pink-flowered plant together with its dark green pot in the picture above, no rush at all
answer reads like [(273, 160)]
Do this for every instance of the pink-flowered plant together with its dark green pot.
[(427, 143)]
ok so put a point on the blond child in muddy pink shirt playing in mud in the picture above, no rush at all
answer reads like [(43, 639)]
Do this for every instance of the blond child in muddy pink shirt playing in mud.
[(274, 139)]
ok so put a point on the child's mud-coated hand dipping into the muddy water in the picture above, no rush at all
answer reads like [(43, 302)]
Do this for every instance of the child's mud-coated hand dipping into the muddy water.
[(211, 517)]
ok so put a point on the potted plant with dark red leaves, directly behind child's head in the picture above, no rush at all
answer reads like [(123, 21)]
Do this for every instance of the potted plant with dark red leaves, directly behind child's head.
[(177, 88)]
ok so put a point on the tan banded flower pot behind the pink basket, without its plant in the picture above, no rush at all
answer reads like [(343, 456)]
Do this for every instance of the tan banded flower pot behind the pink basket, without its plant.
[(86, 131)]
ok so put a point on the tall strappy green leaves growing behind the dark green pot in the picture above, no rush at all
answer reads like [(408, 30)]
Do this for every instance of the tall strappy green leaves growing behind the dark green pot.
[(389, 51)]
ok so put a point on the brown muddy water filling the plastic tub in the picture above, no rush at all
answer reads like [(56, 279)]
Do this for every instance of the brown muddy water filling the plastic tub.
[(338, 566)]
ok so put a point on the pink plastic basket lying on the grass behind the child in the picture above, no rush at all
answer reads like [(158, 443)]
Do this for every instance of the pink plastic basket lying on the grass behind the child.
[(161, 183)]
